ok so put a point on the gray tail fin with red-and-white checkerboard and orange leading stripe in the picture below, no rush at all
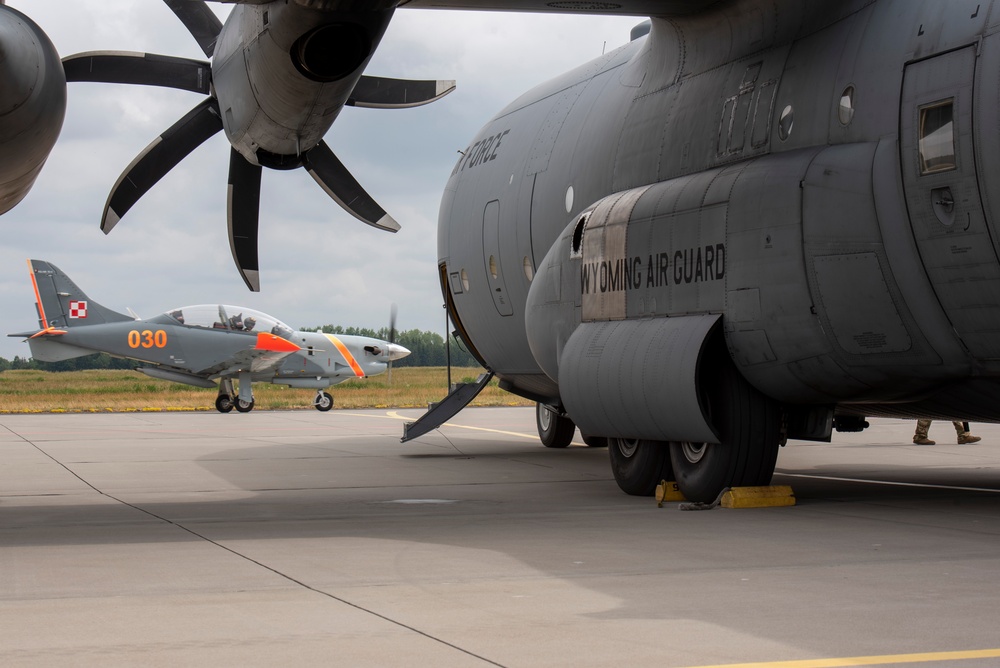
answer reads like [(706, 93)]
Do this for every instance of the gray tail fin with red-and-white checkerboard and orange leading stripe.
[(61, 304)]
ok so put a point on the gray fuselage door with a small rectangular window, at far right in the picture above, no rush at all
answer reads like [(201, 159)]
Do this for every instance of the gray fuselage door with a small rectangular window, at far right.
[(942, 195)]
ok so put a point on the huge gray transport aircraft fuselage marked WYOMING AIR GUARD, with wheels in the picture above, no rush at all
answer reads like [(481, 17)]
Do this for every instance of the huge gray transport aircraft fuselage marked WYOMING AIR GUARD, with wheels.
[(757, 222)]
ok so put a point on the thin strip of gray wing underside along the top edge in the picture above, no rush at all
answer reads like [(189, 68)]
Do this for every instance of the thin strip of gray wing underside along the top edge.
[(620, 8)]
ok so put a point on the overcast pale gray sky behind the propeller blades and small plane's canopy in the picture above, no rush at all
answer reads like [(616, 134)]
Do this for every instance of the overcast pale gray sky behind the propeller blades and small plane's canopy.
[(318, 264)]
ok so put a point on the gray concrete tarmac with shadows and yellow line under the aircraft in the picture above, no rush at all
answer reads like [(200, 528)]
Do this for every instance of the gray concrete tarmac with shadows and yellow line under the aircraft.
[(306, 538)]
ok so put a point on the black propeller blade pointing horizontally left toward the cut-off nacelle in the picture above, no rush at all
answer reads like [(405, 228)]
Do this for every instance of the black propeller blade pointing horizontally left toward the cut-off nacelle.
[(147, 69)]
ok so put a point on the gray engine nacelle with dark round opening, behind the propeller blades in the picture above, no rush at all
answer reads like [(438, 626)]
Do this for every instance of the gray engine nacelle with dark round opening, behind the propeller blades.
[(281, 92)]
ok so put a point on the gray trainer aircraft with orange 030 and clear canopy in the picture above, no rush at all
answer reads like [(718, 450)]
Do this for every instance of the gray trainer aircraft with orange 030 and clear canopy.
[(197, 345)]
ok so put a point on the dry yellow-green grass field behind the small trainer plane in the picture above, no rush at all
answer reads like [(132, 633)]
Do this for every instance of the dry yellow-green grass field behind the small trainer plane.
[(113, 390)]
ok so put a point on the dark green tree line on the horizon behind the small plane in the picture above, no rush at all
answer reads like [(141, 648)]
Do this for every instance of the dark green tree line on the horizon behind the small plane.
[(426, 349)]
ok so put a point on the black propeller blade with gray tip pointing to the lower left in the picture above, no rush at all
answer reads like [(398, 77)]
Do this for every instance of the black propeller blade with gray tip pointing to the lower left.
[(160, 157)]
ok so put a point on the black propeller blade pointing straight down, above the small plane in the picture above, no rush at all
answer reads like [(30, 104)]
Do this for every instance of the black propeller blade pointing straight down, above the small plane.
[(243, 206)]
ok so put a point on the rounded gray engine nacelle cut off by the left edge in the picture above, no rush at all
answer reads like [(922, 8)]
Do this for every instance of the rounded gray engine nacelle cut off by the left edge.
[(32, 103)]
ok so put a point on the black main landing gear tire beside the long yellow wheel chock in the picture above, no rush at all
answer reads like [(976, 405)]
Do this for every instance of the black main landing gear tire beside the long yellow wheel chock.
[(750, 429)]
